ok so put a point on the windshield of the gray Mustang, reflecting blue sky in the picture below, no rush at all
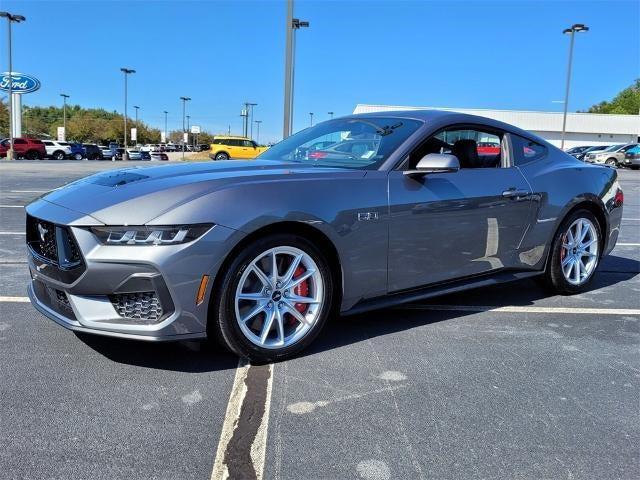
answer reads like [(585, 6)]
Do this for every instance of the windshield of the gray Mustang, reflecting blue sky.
[(359, 143)]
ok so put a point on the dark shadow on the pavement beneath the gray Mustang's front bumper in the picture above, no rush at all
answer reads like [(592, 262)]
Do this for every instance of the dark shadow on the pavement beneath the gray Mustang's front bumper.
[(183, 356)]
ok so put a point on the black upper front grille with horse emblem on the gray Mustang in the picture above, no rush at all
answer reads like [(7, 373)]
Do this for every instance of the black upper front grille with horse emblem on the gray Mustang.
[(54, 243)]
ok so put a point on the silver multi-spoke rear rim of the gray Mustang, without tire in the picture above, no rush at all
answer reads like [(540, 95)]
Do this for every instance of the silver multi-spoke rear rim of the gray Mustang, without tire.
[(579, 255)]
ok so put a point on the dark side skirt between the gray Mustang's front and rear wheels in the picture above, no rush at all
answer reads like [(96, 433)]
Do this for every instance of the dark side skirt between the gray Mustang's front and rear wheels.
[(438, 290)]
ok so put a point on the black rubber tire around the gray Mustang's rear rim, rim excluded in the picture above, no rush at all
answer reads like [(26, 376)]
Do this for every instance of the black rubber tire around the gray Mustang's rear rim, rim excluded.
[(553, 276)]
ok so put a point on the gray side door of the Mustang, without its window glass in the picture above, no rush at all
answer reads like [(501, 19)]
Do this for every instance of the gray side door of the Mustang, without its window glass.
[(445, 226)]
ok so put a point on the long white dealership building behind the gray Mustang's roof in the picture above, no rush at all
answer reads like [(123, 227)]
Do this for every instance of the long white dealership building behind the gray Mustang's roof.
[(582, 128)]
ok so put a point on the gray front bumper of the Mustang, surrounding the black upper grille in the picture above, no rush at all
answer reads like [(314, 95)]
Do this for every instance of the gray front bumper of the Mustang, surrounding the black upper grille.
[(136, 292)]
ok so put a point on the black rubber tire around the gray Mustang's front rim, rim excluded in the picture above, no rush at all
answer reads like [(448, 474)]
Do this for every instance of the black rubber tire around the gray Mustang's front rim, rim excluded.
[(223, 326)]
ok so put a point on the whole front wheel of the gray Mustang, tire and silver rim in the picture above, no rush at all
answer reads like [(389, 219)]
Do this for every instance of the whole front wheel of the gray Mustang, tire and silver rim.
[(274, 299)]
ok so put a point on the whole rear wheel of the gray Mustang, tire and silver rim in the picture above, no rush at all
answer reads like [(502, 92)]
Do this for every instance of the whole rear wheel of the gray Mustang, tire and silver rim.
[(575, 253)]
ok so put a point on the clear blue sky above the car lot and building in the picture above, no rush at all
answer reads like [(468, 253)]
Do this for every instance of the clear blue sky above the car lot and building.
[(475, 54)]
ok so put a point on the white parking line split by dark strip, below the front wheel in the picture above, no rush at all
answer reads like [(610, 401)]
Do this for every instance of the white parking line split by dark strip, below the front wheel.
[(245, 424)]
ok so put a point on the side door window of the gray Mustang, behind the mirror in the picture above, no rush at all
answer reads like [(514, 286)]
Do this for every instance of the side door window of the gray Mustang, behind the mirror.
[(474, 148)]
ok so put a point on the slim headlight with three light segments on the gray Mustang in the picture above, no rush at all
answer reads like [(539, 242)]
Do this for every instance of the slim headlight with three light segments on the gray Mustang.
[(150, 235)]
